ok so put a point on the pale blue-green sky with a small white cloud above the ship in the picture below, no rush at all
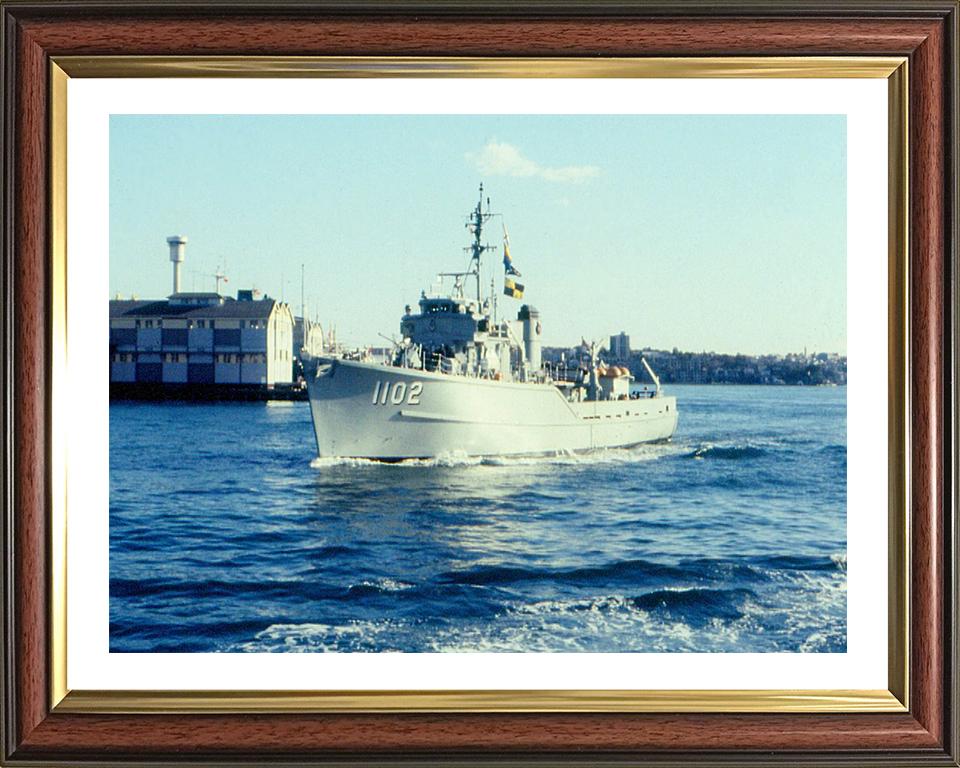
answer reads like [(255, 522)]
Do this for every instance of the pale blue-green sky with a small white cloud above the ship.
[(717, 233)]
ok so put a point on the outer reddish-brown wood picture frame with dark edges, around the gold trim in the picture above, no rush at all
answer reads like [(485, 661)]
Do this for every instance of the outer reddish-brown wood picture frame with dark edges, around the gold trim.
[(34, 33)]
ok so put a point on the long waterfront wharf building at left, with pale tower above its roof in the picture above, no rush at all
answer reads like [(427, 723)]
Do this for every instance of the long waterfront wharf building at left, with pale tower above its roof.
[(200, 341)]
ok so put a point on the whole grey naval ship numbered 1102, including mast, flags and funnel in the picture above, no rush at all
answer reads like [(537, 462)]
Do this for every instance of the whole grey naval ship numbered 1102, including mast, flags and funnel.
[(461, 382)]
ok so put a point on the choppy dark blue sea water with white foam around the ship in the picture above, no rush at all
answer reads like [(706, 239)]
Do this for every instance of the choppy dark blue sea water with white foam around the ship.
[(228, 534)]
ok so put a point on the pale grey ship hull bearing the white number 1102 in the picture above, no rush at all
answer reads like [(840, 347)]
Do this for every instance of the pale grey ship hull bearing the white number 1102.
[(366, 410)]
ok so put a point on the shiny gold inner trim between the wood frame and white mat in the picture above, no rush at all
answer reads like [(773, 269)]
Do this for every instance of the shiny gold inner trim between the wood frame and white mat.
[(893, 69)]
